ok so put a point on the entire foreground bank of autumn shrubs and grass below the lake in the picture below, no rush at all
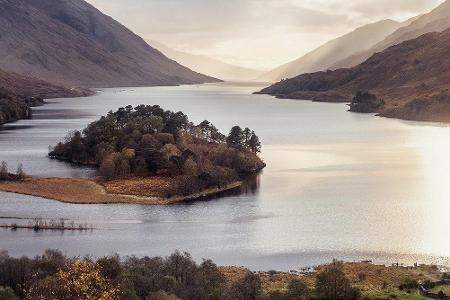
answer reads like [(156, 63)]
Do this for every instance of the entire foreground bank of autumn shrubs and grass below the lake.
[(146, 277)]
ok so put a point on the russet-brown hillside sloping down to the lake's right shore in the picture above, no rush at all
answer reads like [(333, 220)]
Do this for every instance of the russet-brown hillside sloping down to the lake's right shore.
[(410, 80)]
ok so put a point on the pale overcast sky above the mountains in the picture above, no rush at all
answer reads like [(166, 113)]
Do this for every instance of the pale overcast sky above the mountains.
[(253, 33)]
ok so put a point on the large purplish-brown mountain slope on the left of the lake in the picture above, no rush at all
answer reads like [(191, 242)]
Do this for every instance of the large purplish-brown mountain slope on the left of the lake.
[(70, 42)]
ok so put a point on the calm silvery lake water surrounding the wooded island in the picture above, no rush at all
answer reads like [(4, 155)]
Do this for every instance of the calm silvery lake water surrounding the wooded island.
[(337, 185)]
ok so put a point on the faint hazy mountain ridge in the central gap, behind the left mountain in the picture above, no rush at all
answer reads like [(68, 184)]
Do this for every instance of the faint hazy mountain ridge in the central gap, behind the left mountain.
[(207, 65)]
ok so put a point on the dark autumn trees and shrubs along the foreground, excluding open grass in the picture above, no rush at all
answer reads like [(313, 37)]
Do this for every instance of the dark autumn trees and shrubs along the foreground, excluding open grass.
[(178, 276)]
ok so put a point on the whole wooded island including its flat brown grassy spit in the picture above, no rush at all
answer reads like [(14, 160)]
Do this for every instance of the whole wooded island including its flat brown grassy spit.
[(149, 155)]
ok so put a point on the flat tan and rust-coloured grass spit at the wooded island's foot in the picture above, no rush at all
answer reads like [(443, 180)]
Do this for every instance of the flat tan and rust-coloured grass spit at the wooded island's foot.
[(144, 191)]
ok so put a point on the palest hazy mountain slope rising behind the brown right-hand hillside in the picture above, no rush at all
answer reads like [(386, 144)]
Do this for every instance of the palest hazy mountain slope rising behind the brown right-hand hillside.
[(335, 50)]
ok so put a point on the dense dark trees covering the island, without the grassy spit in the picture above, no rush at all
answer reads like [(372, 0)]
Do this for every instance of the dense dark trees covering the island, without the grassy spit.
[(147, 141)]
